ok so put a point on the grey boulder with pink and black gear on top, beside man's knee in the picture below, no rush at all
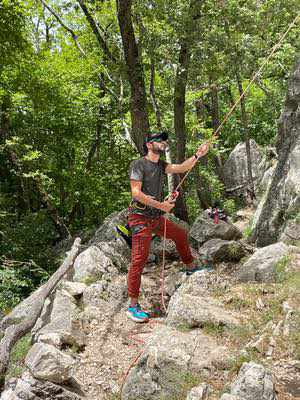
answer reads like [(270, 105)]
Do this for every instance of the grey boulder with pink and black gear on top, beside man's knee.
[(205, 229)]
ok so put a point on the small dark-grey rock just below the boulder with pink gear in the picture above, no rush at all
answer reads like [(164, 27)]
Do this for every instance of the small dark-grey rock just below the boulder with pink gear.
[(218, 250)]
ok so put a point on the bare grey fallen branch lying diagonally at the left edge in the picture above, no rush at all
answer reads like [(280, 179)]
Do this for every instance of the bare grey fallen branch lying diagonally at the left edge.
[(15, 332)]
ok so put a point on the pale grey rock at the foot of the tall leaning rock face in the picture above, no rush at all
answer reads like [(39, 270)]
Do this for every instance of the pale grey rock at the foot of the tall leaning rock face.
[(261, 265)]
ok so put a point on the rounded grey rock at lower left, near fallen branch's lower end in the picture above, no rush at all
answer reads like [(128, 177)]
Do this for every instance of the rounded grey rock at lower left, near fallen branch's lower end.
[(46, 362)]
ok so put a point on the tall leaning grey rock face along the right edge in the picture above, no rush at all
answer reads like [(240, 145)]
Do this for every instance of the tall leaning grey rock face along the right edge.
[(283, 196)]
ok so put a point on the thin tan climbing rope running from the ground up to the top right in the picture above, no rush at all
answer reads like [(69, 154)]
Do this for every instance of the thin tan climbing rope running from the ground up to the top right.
[(217, 133)]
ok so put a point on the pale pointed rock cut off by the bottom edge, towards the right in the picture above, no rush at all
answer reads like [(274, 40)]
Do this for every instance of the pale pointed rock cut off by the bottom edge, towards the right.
[(254, 382)]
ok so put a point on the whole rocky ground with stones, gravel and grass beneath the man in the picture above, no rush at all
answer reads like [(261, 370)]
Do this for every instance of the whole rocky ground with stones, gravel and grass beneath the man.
[(229, 334)]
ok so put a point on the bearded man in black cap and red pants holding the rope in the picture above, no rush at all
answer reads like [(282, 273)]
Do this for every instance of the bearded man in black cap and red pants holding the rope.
[(145, 213)]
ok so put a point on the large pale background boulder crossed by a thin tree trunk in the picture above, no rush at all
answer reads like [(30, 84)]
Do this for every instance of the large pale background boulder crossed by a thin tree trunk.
[(235, 168)]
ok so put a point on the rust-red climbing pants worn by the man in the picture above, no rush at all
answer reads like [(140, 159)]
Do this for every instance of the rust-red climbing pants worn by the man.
[(142, 229)]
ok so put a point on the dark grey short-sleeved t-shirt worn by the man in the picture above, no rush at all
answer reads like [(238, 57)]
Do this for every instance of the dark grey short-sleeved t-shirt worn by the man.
[(152, 175)]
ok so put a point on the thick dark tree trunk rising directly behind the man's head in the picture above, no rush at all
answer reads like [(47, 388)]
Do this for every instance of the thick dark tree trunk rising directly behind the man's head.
[(138, 101)]
